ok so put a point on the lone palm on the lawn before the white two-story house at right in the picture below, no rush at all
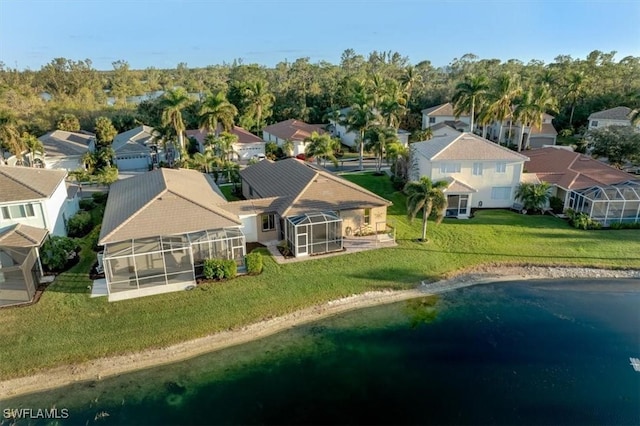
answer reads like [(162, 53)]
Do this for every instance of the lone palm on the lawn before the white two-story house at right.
[(426, 195)]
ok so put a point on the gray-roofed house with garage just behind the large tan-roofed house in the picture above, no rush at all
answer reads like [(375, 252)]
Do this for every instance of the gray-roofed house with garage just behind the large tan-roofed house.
[(135, 149)]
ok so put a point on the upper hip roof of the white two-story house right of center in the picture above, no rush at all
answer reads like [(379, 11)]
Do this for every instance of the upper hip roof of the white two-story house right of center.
[(464, 146)]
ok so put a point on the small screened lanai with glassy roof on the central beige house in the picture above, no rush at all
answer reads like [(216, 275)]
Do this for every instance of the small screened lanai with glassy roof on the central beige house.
[(314, 233)]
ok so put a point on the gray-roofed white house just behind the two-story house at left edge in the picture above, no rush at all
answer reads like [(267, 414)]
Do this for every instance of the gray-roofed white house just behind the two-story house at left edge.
[(64, 150)]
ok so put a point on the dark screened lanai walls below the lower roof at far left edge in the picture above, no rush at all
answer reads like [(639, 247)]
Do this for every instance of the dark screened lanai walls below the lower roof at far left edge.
[(19, 274)]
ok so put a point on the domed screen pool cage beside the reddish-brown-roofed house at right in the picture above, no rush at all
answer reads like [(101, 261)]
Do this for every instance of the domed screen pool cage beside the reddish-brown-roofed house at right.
[(619, 203)]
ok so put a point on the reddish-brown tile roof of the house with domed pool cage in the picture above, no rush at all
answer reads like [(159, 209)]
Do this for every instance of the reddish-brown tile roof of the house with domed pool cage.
[(572, 170)]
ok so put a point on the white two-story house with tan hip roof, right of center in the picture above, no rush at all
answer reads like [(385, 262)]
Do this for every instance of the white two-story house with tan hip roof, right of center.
[(480, 173)]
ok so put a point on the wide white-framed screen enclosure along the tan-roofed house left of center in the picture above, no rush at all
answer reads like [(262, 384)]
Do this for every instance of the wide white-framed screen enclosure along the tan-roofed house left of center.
[(165, 260)]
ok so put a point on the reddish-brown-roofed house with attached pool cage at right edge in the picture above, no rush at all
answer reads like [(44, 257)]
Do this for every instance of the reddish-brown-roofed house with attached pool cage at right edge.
[(579, 180)]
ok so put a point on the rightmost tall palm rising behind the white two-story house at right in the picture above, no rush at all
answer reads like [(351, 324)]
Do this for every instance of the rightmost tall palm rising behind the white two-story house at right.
[(530, 110)]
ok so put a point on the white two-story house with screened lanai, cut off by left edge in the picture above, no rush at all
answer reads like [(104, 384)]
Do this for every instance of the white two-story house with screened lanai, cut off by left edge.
[(33, 203)]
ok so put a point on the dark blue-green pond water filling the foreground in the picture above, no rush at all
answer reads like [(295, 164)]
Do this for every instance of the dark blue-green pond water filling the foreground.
[(540, 352)]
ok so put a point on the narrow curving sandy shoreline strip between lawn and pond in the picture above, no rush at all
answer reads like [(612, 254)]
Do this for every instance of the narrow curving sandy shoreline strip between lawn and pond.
[(111, 366)]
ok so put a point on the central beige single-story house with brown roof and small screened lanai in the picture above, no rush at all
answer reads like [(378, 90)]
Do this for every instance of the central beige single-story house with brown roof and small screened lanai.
[(309, 207)]
